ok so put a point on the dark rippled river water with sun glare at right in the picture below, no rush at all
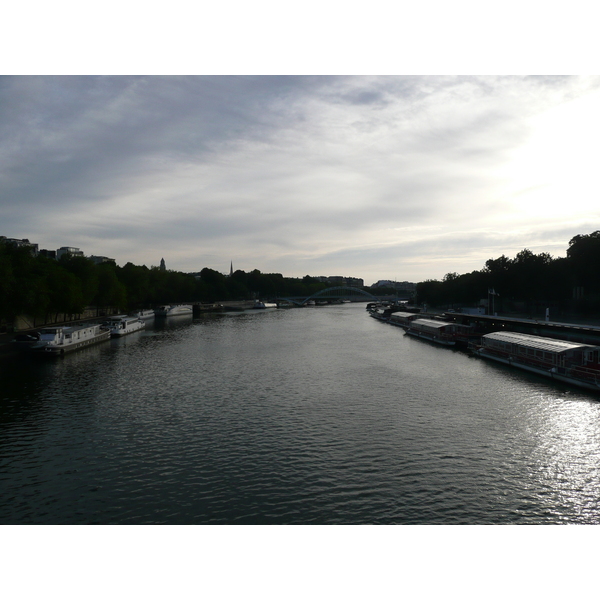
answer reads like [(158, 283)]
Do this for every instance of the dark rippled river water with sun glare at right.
[(304, 416)]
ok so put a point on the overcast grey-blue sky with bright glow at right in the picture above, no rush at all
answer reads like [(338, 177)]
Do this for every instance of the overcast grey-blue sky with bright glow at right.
[(377, 177)]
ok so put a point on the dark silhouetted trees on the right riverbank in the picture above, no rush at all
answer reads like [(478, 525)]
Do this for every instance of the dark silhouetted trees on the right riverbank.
[(528, 282)]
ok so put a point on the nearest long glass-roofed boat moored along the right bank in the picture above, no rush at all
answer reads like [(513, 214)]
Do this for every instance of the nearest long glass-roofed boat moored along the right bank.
[(569, 362)]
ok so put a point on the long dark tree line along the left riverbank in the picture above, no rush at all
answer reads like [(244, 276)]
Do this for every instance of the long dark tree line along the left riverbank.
[(41, 287)]
